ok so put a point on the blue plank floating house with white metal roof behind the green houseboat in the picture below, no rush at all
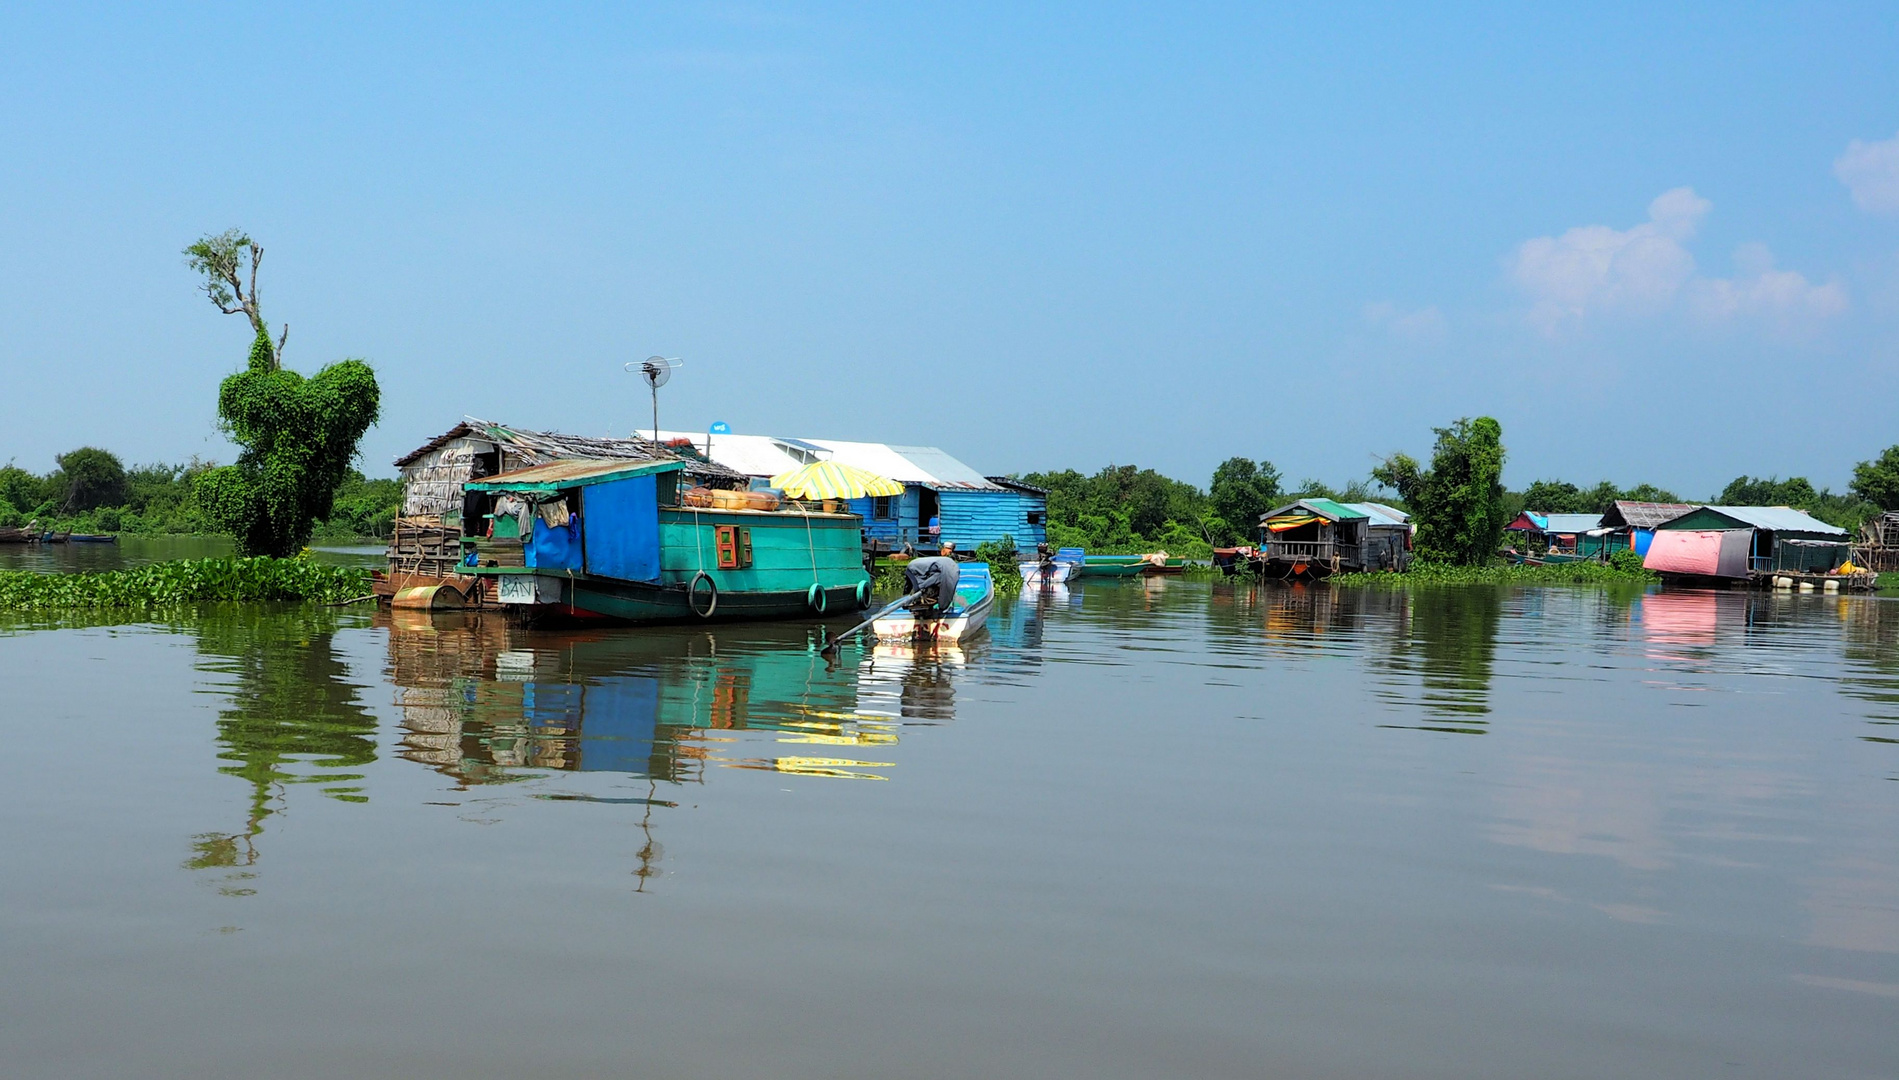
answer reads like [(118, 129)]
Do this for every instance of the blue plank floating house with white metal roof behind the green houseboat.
[(969, 508)]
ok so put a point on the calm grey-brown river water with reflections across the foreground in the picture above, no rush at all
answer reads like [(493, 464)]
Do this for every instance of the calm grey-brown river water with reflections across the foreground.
[(1157, 829)]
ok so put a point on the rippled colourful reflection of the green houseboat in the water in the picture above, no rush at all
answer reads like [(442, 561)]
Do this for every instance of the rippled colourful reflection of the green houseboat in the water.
[(485, 701)]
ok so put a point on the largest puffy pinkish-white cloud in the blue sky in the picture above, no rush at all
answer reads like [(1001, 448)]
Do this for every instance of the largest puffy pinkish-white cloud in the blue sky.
[(1644, 270)]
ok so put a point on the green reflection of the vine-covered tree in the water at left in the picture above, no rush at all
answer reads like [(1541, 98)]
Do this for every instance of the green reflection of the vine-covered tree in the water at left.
[(293, 718)]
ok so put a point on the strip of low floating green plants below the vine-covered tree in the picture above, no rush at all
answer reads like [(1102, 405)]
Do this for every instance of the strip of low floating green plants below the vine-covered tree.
[(185, 584)]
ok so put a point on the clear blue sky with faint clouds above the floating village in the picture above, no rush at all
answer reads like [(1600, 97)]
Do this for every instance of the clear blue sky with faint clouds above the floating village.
[(1657, 246)]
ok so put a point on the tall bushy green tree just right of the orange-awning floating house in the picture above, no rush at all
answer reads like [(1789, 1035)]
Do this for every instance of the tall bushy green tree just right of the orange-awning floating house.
[(1459, 502)]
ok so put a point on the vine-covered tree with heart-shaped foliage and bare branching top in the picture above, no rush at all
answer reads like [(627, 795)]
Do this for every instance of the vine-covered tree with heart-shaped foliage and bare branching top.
[(297, 436)]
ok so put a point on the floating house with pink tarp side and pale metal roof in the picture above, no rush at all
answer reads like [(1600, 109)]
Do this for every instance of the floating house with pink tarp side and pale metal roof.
[(1735, 544)]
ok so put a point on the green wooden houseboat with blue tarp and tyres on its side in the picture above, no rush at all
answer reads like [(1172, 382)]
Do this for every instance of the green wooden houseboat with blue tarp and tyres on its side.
[(616, 542)]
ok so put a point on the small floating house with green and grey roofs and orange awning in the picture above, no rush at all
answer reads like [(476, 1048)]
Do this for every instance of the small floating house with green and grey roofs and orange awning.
[(1317, 538)]
